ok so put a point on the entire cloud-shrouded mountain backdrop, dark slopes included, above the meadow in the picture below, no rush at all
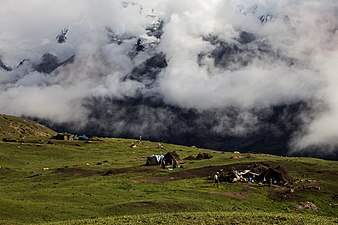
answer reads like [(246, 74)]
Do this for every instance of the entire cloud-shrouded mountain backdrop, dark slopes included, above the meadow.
[(167, 67)]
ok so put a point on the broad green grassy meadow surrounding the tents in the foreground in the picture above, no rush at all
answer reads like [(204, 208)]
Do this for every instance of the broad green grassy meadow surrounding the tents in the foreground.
[(104, 181)]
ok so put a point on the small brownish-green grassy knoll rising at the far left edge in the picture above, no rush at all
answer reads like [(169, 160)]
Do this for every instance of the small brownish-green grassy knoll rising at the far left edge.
[(16, 128)]
